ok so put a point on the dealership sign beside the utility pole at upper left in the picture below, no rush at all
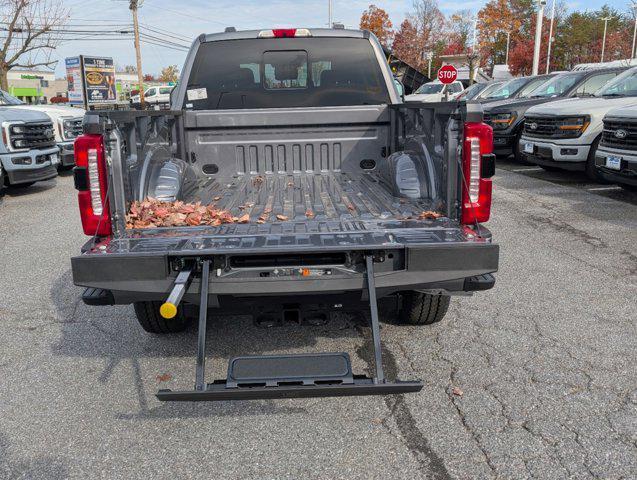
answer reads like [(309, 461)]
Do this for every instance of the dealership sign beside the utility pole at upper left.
[(91, 80)]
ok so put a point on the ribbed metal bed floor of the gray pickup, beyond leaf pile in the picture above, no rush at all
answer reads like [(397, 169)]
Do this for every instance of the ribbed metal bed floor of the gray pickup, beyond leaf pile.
[(337, 198)]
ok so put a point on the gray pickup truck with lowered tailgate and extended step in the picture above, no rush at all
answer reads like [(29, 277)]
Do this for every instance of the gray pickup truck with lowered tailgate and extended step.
[(287, 180)]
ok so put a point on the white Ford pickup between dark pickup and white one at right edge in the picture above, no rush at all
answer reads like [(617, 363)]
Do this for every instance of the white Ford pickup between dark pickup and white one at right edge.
[(566, 134)]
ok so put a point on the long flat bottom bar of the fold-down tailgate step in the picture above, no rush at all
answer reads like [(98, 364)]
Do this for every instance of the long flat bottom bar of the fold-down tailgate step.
[(219, 391)]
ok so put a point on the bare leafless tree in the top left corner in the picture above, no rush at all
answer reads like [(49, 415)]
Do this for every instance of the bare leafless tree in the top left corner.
[(32, 32)]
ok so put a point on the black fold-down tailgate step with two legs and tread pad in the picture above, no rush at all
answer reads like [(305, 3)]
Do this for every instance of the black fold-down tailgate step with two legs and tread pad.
[(289, 376)]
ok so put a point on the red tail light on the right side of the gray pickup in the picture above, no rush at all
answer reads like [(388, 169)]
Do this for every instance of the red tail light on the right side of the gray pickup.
[(477, 187)]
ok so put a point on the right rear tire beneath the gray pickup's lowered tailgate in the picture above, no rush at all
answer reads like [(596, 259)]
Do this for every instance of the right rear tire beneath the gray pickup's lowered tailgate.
[(417, 309)]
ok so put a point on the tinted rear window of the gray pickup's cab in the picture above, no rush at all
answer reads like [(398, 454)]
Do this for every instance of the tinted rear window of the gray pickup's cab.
[(285, 73)]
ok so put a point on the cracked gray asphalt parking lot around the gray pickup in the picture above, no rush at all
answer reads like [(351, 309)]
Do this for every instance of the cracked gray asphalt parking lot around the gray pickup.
[(543, 366)]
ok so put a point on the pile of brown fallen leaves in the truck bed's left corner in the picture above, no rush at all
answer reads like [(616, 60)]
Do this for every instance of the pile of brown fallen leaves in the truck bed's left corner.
[(152, 213)]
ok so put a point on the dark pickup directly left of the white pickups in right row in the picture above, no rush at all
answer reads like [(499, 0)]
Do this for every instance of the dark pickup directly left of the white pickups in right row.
[(507, 116)]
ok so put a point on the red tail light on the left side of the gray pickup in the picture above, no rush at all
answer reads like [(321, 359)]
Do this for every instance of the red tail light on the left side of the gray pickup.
[(91, 181)]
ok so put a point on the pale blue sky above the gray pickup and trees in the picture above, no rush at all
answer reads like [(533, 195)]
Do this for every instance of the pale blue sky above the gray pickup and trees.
[(186, 21)]
